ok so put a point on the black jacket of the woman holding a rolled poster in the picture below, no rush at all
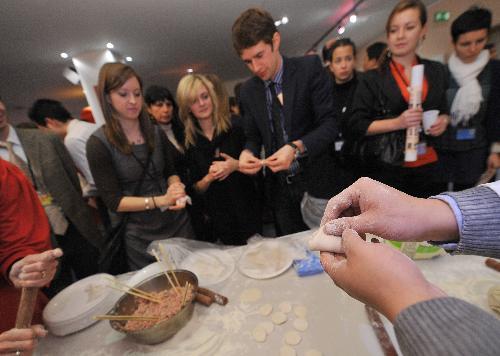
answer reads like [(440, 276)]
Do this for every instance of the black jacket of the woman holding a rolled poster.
[(378, 97)]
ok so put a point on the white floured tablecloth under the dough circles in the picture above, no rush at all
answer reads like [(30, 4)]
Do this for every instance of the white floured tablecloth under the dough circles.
[(337, 324)]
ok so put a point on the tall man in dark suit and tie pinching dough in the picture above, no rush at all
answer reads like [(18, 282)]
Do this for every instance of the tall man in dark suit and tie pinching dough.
[(287, 108)]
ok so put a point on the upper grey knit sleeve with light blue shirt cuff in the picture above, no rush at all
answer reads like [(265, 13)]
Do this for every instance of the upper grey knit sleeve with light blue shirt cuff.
[(480, 231)]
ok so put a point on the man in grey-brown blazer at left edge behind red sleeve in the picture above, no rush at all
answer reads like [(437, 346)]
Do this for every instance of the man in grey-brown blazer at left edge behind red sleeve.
[(45, 161)]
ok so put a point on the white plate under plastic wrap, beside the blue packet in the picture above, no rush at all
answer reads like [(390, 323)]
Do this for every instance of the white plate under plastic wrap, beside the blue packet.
[(266, 259)]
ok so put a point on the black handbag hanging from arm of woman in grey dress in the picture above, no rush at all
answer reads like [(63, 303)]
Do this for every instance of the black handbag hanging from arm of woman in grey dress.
[(114, 259)]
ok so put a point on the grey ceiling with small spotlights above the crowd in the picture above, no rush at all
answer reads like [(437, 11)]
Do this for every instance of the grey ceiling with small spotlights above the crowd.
[(164, 37)]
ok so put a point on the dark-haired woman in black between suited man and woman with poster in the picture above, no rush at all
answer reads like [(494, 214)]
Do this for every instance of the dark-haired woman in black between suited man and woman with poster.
[(328, 173)]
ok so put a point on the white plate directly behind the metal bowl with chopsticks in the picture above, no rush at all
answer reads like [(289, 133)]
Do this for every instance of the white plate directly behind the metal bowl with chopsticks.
[(211, 266)]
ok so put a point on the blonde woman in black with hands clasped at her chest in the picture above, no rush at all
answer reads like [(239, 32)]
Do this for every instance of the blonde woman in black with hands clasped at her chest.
[(227, 205)]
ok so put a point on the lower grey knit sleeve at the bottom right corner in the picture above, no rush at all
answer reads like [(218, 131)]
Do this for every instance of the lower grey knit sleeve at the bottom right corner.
[(447, 326)]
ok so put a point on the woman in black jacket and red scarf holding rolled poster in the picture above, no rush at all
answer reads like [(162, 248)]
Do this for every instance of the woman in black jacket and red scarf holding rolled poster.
[(377, 127)]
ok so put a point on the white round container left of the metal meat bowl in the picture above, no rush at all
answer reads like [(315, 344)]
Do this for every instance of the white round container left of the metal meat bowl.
[(72, 309)]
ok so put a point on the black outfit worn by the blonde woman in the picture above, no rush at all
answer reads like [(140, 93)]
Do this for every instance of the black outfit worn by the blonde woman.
[(229, 209)]
